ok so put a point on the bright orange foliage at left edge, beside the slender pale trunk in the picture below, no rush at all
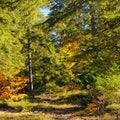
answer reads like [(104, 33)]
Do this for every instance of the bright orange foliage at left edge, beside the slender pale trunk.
[(9, 87)]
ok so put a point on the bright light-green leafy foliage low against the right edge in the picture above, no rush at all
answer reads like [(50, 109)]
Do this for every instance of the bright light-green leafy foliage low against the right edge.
[(109, 85)]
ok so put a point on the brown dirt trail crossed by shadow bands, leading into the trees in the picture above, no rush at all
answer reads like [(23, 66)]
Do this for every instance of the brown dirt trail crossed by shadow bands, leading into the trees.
[(58, 107)]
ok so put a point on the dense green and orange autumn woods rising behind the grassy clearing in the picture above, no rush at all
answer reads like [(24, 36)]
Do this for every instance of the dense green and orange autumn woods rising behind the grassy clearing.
[(75, 46)]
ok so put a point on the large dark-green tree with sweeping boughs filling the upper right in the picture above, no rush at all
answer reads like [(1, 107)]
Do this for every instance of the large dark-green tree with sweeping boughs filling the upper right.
[(83, 22)]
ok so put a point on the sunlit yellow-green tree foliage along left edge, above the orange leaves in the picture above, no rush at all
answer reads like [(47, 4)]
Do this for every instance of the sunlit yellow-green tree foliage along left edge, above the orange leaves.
[(12, 60)]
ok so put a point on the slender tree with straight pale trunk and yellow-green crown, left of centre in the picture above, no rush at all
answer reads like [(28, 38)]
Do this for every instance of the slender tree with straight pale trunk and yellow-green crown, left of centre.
[(28, 19)]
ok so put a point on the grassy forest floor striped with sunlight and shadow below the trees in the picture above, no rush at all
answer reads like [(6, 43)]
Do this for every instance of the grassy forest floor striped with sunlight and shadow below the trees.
[(48, 107)]
